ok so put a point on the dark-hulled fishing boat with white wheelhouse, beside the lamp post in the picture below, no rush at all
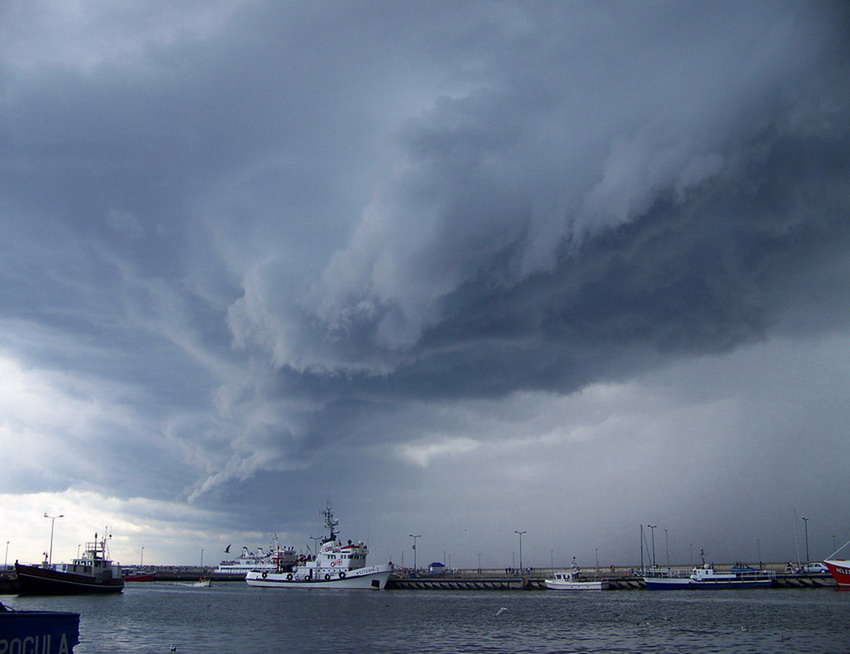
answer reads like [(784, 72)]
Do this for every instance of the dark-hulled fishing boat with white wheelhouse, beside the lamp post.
[(90, 573)]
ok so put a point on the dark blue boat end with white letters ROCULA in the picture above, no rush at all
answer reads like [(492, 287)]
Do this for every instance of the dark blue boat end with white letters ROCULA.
[(45, 632)]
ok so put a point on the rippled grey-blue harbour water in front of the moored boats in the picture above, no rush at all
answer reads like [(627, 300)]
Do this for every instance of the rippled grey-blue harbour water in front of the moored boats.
[(234, 618)]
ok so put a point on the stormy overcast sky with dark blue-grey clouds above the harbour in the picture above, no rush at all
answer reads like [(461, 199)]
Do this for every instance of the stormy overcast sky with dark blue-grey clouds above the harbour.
[(460, 268)]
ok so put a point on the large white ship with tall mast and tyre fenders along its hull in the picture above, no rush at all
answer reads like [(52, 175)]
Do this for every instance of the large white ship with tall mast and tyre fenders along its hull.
[(334, 566)]
